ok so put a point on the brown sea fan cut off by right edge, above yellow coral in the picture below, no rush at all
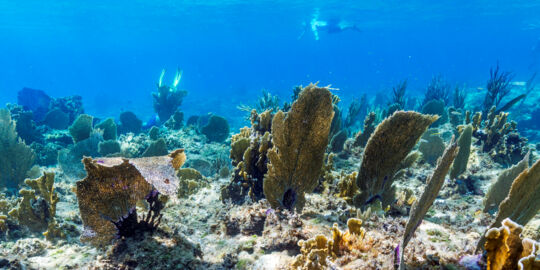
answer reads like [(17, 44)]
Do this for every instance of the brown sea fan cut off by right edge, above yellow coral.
[(523, 200)]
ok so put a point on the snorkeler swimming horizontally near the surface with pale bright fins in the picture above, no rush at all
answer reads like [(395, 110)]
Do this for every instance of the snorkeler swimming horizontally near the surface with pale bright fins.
[(331, 26)]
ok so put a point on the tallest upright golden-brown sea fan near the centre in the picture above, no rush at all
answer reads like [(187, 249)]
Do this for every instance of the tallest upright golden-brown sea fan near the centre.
[(300, 138)]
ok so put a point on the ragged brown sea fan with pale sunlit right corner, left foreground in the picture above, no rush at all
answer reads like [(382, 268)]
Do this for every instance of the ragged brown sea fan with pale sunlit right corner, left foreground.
[(113, 187)]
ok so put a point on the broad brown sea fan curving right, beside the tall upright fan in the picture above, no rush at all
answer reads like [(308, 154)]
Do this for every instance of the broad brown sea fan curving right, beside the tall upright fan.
[(391, 142)]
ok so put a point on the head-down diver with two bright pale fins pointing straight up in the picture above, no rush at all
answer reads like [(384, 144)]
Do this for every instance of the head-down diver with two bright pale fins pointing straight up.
[(168, 98)]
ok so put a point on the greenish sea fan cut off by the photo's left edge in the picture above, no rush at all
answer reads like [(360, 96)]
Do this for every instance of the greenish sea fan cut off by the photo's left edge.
[(16, 158)]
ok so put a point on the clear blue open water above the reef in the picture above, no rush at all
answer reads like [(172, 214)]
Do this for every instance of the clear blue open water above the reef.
[(112, 53)]
